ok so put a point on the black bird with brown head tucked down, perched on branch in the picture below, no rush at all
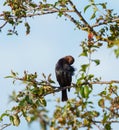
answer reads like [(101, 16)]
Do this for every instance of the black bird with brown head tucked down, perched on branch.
[(64, 72)]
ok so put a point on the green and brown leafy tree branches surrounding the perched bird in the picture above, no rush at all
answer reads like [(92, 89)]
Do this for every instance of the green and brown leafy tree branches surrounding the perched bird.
[(81, 111)]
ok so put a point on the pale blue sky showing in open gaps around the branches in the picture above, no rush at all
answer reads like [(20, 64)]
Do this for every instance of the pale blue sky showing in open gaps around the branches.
[(51, 37)]
